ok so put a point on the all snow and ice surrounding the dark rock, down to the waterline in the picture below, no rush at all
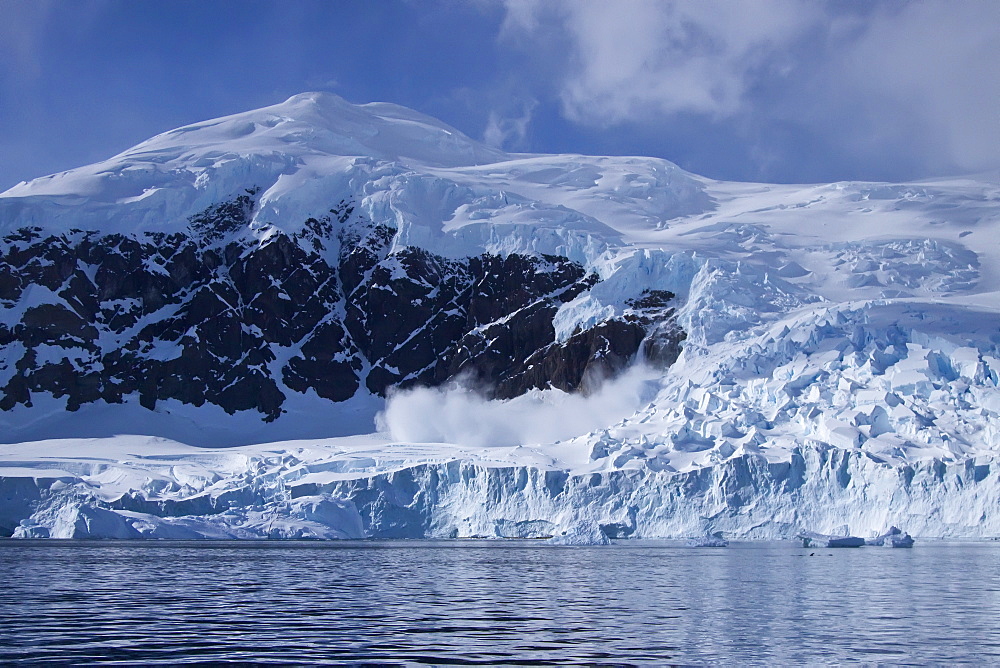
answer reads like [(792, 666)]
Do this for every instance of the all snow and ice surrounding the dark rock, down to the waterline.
[(839, 374)]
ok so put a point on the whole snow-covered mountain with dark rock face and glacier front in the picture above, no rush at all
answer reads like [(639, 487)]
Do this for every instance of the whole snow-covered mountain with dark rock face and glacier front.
[(586, 347)]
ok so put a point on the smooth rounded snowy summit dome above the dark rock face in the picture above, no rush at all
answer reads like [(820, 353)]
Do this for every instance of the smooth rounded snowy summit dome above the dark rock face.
[(303, 128)]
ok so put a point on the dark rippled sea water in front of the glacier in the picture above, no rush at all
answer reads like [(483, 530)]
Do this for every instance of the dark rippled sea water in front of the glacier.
[(471, 603)]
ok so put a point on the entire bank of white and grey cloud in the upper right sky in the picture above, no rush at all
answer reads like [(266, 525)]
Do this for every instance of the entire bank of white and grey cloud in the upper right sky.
[(918, 78)]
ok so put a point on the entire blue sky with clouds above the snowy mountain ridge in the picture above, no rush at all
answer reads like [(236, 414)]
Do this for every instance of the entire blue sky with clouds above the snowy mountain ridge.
[(789, 91)]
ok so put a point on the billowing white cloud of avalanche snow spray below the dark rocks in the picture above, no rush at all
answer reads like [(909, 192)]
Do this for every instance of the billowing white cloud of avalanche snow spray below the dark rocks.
[(460, 414)]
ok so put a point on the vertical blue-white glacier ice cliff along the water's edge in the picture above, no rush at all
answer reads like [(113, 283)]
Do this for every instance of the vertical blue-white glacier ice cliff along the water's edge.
[(278, 495)]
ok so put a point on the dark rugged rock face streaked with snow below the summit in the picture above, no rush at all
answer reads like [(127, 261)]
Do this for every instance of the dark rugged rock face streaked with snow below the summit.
[(217, 316)]
